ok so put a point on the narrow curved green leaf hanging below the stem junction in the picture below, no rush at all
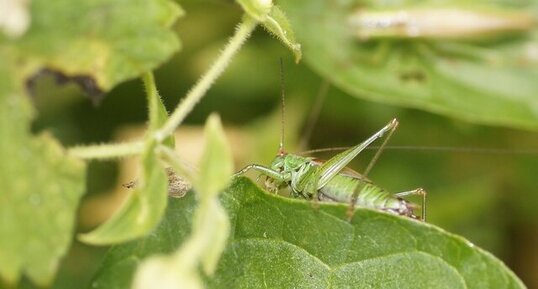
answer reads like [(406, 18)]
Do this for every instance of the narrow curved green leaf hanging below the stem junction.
[(143, 208)]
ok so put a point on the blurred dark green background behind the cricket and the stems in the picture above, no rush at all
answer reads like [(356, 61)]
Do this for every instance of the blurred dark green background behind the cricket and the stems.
[(489, 198)]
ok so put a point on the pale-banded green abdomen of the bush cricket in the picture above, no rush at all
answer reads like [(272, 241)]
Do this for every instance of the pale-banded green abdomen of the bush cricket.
[(342, 187)]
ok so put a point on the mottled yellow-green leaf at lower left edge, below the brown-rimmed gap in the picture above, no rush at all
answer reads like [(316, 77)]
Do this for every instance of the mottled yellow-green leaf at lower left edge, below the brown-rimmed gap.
[(39, 192)]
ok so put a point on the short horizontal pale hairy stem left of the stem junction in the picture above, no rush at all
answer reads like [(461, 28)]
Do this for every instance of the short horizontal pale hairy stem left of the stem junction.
[(107, 151)]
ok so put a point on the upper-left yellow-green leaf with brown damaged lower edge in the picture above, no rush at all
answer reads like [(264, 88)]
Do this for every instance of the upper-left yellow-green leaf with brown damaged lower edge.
[(97, 41)]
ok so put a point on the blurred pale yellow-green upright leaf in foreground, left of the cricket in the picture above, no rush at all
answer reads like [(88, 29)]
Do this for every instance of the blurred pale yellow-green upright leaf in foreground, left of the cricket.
[(211, 224)]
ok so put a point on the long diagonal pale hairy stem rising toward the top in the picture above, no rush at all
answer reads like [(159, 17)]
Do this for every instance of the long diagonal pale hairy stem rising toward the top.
[(242, 33)]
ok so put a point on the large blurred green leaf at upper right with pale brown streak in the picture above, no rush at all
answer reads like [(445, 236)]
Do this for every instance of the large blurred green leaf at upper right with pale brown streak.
[(490, 80)]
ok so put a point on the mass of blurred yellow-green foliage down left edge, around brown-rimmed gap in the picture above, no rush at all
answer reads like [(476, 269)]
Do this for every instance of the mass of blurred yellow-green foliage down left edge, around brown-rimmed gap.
[(97, 45)]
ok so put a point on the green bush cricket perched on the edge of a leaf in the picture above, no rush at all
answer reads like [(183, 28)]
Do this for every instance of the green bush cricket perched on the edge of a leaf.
[(332, 181)]
